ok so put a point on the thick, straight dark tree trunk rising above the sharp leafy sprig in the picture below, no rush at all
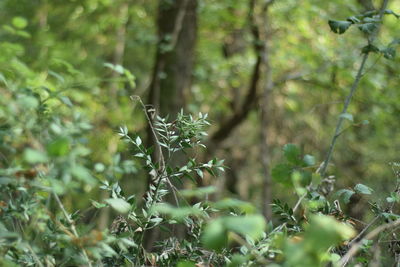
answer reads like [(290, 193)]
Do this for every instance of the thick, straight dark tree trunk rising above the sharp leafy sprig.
[(172, 74)]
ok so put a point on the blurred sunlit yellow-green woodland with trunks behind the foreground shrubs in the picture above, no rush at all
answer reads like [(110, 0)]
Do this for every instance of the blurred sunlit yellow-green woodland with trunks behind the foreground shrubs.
[(265, 77)]
